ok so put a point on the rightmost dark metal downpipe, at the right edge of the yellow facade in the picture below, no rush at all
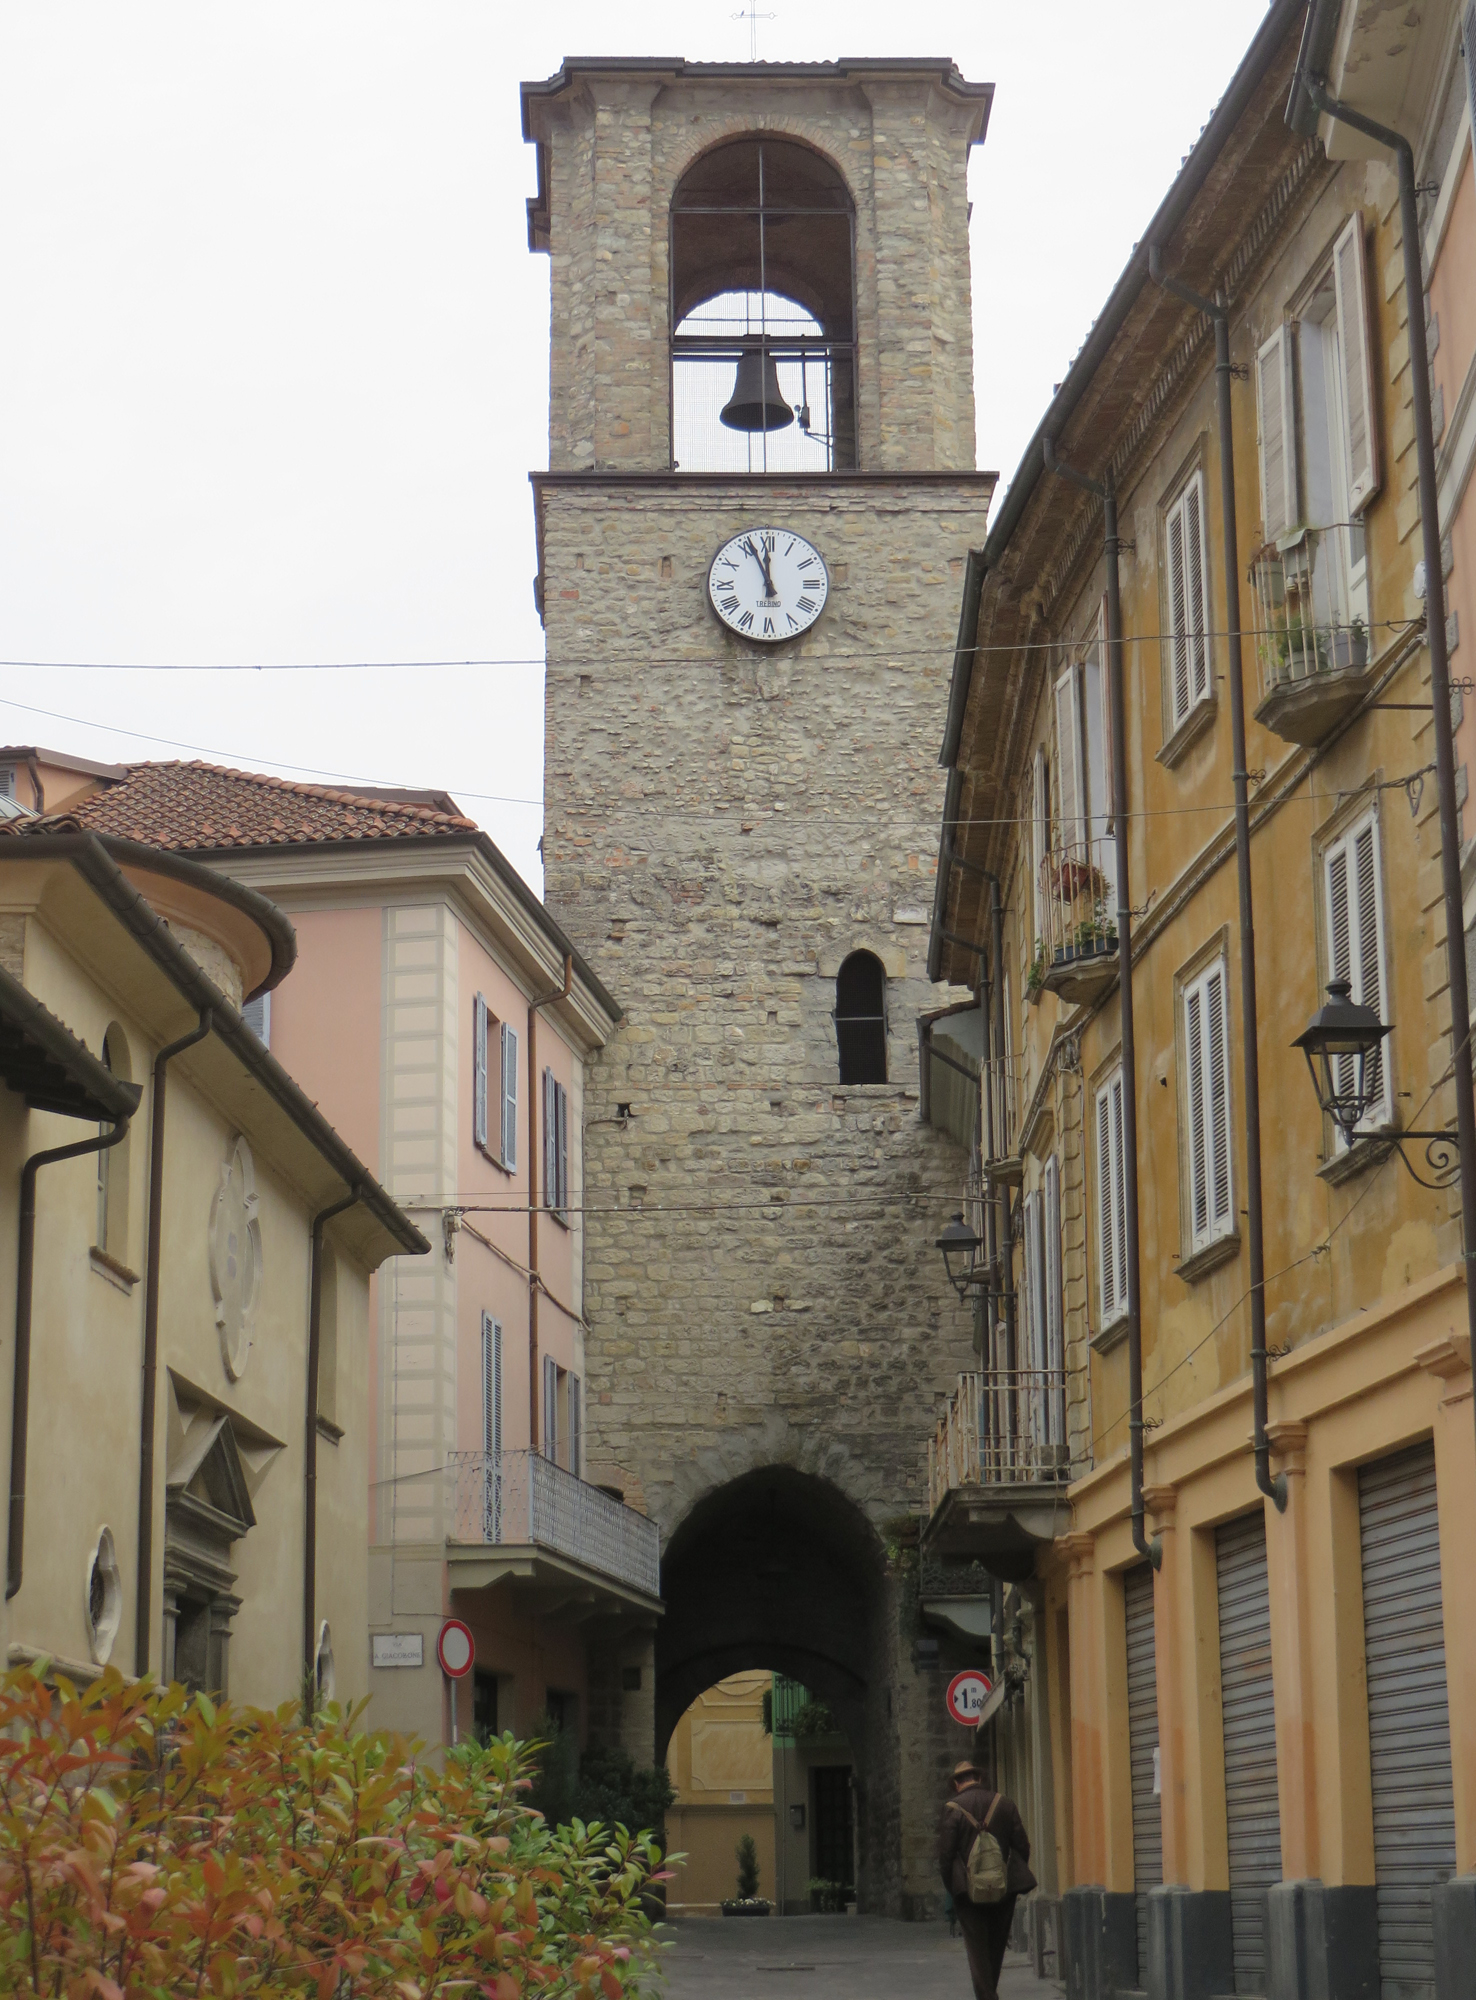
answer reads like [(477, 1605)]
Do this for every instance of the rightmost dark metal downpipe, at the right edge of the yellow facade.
[(1435, 619)]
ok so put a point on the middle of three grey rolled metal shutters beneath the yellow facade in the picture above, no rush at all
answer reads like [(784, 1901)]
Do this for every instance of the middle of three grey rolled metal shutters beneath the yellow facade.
[(1247, 1699)]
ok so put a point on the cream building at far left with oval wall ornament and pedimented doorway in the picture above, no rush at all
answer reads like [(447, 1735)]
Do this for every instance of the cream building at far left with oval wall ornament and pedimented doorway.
[(183, 1381)]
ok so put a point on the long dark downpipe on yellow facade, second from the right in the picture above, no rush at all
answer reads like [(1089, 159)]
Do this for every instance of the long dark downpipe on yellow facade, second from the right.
[(1219, 315)]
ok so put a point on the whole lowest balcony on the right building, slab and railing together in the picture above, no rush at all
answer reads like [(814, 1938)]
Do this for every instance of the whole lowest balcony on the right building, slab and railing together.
[(999, 1467)]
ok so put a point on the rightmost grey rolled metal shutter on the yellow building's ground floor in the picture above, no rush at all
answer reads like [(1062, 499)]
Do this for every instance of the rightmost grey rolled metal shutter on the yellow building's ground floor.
[(1409, 1717)]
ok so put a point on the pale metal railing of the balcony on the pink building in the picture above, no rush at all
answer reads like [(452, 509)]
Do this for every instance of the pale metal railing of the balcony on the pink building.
[(527, 1499)]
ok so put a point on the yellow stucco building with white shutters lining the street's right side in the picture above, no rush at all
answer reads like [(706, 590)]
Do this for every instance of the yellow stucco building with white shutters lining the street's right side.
[(1245, 1723)]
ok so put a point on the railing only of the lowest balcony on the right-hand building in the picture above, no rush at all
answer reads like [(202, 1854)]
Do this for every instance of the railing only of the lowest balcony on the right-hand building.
[(1003, 1427)]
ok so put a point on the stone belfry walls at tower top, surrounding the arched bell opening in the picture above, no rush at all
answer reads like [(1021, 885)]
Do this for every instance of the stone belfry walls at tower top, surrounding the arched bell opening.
[(617, 149)]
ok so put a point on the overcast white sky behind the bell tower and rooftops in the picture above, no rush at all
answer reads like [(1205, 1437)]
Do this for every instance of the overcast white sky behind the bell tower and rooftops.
[(275, 355)]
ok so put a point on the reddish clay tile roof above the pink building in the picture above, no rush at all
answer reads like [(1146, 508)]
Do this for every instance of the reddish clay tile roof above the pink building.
[(205, 807)]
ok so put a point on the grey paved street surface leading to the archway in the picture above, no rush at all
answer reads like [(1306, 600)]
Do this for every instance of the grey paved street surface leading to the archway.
[(827, 1959)]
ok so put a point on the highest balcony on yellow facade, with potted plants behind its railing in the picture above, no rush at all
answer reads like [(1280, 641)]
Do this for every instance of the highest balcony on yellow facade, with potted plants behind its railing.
[(1311, 643)]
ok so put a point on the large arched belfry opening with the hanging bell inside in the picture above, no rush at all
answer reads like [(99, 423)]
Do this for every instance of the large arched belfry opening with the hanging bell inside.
[(763, 313)]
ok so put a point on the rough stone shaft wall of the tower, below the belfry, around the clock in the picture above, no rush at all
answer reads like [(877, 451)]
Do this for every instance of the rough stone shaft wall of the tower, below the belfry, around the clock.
[(723, 827)]
